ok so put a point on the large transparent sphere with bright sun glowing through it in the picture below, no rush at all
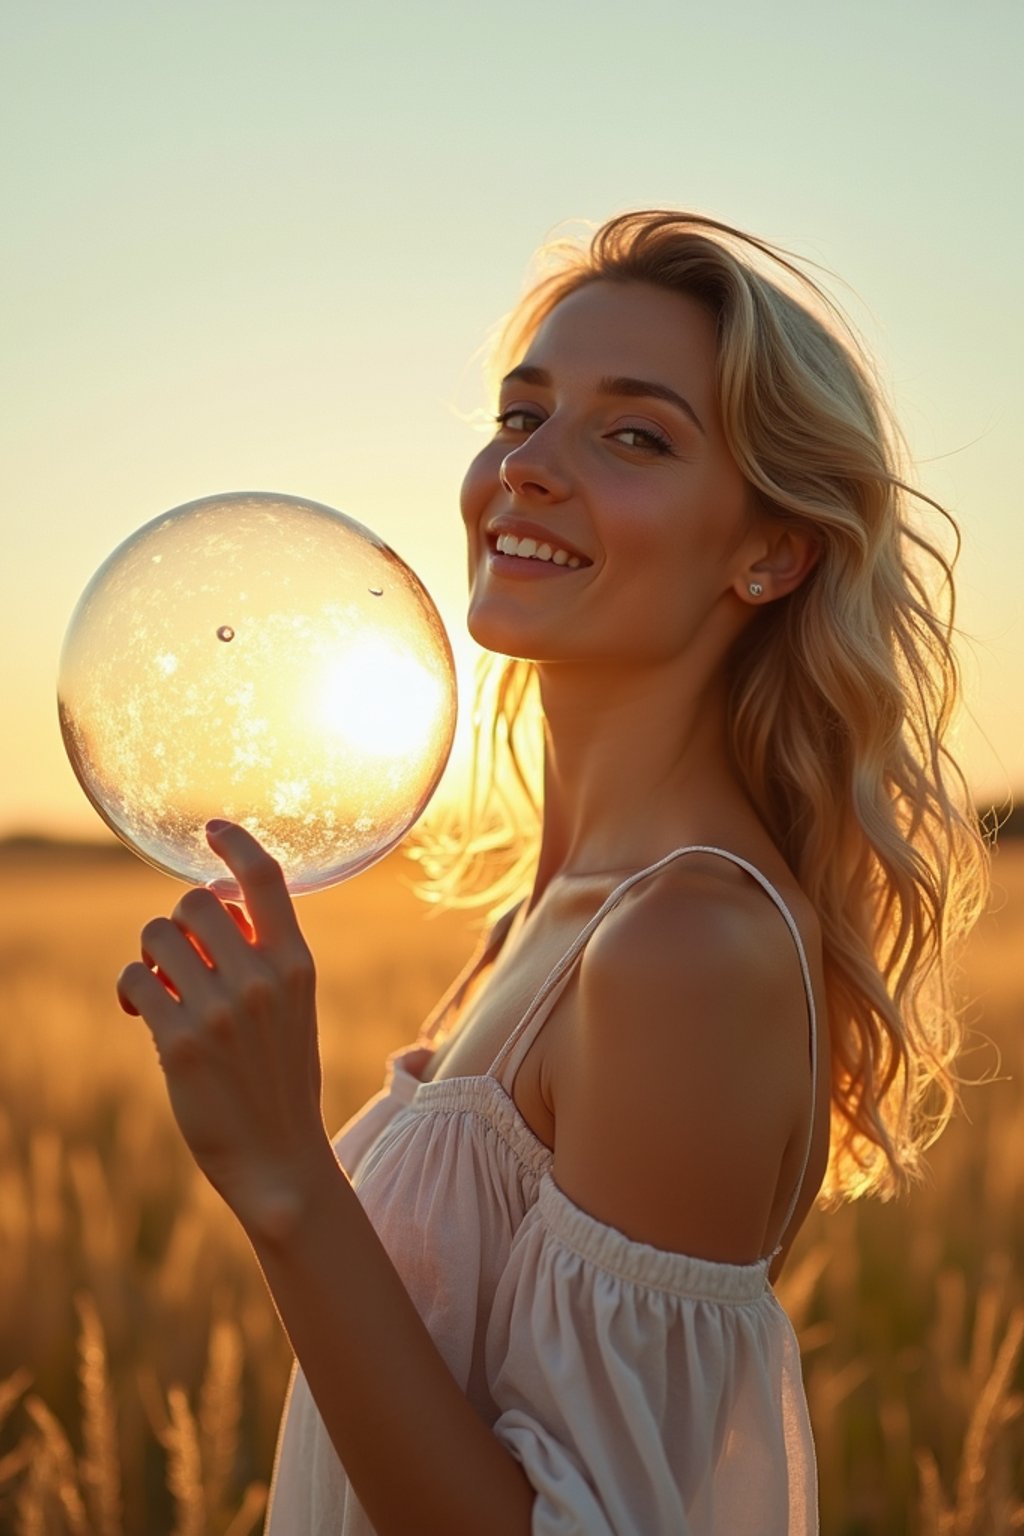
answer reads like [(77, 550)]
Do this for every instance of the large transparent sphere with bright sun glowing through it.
[(269, 661)]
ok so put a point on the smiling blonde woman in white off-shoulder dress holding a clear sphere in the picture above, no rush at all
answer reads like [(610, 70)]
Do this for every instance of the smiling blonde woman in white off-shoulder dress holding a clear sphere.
[(724, 988)]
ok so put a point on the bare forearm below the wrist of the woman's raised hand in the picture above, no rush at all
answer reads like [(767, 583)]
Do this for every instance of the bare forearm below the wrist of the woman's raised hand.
[(417, 1452)]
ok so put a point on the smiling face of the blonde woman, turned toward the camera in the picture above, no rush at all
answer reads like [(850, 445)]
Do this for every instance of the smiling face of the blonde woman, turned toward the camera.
[(607, 518)]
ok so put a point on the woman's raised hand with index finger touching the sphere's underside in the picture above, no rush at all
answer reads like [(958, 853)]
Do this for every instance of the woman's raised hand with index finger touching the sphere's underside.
[(231, 1005)]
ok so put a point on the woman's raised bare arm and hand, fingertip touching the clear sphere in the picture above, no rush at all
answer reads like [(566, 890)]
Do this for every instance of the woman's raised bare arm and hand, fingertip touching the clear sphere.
[(234, 1021)]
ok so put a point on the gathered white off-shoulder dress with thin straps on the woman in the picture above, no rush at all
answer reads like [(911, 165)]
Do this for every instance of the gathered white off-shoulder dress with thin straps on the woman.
[(646, 1392)]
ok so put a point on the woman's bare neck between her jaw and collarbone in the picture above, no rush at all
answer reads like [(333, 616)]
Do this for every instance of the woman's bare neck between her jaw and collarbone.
[(636, 763)]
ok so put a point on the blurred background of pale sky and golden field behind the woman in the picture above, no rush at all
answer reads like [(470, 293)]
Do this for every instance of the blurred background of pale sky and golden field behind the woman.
[(260, 247)]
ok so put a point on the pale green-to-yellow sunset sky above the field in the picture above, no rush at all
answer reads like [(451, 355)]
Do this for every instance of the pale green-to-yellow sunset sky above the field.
[(259, 247)]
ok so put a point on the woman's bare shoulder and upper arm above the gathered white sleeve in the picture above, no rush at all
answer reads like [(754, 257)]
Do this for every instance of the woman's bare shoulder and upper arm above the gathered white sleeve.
[(682, 1087)]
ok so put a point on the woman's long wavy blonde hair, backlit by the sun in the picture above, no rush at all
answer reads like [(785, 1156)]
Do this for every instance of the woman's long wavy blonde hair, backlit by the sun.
[(842, 694)]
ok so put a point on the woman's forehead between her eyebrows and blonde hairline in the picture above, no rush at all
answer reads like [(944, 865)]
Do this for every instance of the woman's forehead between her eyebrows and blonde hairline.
[(632, 329)]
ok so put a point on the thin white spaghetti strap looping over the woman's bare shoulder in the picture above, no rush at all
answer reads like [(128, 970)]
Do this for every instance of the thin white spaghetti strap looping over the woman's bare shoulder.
[(518, 1044)]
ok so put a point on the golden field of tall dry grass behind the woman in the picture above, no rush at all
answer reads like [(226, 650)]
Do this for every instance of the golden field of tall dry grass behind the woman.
[(142, 1366)]
